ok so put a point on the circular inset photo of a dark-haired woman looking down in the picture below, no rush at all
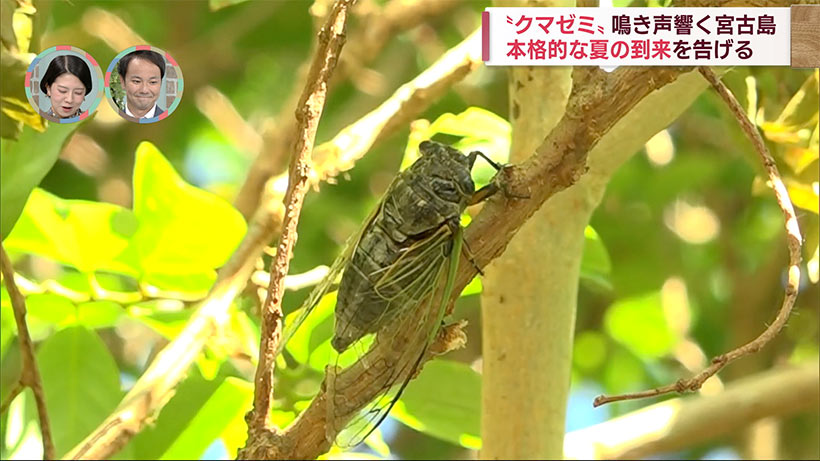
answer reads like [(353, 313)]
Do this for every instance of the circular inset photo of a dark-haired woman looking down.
[(64, 83)]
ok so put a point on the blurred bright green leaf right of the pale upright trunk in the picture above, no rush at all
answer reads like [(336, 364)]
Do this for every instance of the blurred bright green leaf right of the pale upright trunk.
[(640, 325)]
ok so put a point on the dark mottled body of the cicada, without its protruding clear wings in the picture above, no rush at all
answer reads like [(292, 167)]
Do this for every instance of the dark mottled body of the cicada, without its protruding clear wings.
[(398, 247)]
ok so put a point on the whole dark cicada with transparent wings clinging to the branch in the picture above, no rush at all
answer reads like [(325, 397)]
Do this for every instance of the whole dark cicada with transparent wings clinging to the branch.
[(394, 279)]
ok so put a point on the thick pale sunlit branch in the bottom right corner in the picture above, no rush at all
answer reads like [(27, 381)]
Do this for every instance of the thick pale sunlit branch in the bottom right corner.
[(685, 421)]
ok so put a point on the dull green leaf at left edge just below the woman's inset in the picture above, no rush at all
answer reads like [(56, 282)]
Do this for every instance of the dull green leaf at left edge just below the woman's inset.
[(24, 163)]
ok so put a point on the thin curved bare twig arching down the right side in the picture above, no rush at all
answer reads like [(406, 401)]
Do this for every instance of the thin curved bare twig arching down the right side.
[(794, 242)]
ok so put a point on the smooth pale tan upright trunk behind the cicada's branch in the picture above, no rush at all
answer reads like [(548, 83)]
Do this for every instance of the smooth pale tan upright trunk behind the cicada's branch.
[(515, 313)]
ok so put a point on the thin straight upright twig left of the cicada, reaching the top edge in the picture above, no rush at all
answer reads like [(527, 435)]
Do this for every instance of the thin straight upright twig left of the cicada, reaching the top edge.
[(308, 113)]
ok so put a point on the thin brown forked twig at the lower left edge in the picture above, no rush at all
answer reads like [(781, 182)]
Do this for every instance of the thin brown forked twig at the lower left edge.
[(30, 375)]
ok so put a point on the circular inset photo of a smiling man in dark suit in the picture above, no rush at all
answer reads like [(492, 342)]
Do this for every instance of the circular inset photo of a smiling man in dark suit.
[(143, 84)]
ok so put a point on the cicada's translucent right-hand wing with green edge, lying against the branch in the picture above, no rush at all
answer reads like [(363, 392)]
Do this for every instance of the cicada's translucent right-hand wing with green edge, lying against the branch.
[(362, 395)]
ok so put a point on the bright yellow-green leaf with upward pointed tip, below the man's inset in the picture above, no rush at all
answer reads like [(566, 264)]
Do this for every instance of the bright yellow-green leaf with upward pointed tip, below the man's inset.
[(183, 229)]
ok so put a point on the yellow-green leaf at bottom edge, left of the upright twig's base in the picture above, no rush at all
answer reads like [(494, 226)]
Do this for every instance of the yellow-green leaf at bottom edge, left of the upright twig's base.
[(229, 402)]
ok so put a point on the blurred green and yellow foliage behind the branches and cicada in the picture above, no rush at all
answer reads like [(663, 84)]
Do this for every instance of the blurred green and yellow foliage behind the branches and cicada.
[(685, 256)]
